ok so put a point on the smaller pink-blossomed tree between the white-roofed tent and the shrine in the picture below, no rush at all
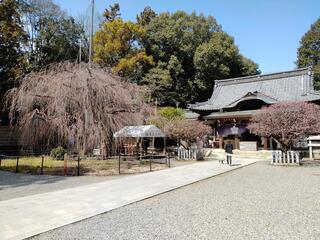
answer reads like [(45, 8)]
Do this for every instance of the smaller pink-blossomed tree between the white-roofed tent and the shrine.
[(186, 130)]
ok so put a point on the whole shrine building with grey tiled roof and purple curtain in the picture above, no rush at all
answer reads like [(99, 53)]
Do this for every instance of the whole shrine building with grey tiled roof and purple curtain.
[(234, 101)]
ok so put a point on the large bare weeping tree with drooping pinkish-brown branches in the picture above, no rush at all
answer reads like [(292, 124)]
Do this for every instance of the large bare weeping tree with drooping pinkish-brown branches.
[(74, 106)]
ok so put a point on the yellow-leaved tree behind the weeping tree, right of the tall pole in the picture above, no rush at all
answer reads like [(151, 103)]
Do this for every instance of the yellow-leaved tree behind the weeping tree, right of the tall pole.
[(118, 45)]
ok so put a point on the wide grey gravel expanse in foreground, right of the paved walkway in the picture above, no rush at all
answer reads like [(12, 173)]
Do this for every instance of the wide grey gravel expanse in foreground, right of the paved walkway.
[(256, 202)]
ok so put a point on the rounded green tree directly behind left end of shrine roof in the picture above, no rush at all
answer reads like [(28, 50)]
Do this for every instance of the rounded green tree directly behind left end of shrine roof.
[(219, 58)]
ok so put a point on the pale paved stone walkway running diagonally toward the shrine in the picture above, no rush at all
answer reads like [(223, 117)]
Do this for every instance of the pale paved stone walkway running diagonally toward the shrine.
[(28, 216)]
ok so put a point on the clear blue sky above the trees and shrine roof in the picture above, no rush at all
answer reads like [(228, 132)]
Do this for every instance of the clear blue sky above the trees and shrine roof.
[(267, 31)]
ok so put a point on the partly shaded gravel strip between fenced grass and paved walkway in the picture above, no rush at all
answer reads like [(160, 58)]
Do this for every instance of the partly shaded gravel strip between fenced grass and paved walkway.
[(14, 185)]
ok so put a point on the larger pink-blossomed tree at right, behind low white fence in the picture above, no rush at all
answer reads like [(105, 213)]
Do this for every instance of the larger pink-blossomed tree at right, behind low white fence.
[(287, 122)]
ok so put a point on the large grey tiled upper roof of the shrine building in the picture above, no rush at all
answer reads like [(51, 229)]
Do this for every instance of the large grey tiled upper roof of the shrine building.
[(290, 86)]
